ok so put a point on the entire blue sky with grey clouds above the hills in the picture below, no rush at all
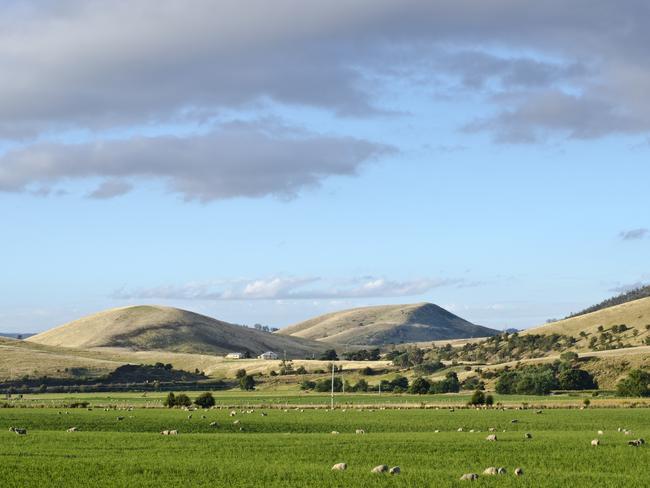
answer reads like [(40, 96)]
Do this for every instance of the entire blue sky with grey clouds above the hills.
[(266, 162)]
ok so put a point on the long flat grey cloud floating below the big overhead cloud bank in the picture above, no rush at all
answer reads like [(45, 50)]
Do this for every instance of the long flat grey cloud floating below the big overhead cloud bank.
[(233, 161)]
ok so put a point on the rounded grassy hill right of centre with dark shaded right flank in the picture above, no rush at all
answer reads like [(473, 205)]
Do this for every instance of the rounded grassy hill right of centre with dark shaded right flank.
[(387, 324)]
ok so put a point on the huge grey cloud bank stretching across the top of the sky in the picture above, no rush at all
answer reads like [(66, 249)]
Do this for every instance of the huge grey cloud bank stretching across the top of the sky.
[(577, 68)]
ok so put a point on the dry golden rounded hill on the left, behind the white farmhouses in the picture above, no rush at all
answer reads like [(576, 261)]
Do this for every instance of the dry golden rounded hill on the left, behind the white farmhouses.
[(170, 329)]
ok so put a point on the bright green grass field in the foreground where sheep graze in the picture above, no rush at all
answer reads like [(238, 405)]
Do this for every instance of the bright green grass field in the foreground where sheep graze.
[(295, 448)]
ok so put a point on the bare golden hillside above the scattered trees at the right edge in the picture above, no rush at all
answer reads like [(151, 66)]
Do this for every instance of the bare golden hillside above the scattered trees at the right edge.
[(635, 315)]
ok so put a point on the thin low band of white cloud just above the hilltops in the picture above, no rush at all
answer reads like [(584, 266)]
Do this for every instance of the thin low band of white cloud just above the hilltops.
[(288, 288)]
